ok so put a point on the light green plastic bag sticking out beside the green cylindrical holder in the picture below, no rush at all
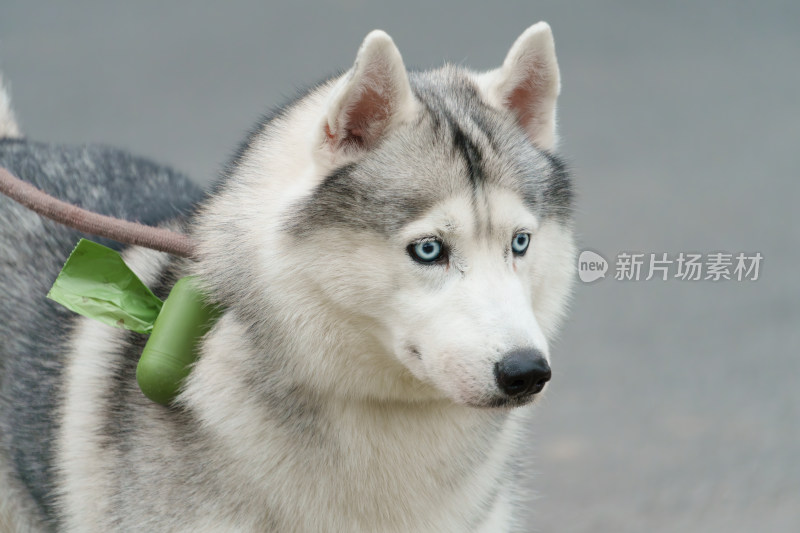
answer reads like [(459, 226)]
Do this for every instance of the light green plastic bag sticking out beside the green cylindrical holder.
[(95, 282)]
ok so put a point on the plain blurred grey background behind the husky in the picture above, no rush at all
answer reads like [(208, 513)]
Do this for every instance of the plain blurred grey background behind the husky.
[(675, 405)]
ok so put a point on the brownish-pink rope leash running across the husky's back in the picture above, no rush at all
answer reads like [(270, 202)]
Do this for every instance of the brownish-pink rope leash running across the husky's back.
[(112, 228)]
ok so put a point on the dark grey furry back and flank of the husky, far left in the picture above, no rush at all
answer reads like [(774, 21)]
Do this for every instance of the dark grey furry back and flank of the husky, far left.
[(34, 329)]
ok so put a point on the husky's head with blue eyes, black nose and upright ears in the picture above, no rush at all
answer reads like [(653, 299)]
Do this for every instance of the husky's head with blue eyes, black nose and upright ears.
[(411, 231)]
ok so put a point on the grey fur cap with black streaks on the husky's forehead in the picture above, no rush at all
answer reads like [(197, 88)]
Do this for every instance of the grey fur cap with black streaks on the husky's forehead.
[(457, 128)]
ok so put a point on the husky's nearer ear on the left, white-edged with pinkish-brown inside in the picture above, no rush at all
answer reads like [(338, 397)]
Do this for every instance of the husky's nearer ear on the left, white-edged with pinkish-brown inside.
[(369, 98)]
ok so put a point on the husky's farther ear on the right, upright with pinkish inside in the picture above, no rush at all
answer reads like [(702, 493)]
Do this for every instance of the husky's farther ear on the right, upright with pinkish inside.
[(528, 84)]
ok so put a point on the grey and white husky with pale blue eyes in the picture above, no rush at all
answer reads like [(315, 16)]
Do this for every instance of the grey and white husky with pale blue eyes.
[(393, 252)]
